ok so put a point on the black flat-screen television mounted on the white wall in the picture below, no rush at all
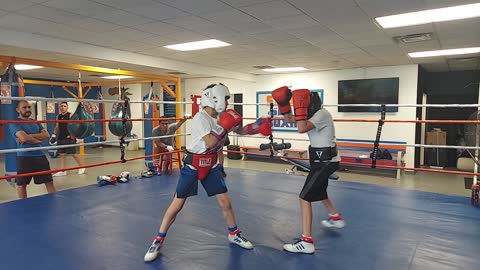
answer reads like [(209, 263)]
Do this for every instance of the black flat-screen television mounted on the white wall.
[(368, 91)]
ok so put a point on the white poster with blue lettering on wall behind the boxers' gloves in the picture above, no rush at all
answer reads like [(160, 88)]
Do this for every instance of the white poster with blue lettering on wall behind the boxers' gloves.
[(264, 110)]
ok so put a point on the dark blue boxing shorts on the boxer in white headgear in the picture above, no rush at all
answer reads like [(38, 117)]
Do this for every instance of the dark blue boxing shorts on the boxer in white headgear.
[(213, 184)]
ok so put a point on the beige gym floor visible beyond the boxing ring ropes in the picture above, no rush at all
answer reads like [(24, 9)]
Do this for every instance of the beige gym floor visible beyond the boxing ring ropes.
[(431, 182)]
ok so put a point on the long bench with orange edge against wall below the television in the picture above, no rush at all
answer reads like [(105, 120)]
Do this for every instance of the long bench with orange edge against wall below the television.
[(357, 152)]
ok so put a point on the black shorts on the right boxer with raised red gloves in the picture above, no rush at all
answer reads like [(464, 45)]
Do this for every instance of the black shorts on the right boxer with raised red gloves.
[(315, 187)]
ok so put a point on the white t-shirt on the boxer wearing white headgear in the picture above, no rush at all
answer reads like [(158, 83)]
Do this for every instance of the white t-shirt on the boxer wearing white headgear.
[(202, 123)]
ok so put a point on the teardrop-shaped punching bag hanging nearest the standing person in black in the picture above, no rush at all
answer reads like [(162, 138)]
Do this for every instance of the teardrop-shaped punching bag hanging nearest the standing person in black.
[(84, 129)]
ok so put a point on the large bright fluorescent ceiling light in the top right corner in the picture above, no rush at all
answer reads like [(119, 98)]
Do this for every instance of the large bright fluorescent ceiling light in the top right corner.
[(429, 16)]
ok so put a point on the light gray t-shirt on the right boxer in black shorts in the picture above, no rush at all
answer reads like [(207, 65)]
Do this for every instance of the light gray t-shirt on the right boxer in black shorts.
[(323, 135)]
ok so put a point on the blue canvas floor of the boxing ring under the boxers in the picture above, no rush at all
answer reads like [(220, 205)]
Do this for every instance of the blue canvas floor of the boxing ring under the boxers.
[(110, 227)]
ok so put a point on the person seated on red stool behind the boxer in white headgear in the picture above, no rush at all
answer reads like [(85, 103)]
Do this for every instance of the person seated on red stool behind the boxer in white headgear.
[(164, 144)]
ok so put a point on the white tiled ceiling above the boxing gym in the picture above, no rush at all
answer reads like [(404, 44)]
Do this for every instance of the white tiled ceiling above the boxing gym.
[(316, 34)]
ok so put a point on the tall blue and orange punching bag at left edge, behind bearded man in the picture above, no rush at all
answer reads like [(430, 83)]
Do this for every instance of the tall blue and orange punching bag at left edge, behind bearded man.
[(11, 86)]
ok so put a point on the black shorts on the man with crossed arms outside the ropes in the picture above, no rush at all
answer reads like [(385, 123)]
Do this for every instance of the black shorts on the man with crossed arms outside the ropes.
[(33, 164)]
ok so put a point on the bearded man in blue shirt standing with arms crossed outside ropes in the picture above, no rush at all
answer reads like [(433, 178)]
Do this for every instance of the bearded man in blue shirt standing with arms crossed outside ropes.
[(30, 135)]
